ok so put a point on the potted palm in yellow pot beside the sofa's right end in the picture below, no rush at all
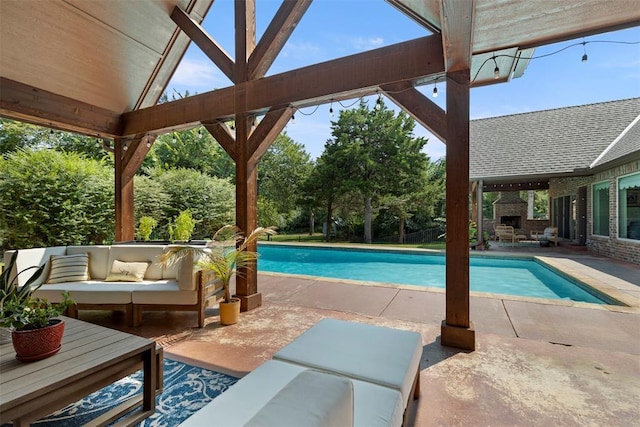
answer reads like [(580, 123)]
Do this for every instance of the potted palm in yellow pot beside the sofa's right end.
[(223, 256)]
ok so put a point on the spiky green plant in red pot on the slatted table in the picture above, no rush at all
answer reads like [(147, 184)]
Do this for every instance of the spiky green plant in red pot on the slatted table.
[(36, 332)]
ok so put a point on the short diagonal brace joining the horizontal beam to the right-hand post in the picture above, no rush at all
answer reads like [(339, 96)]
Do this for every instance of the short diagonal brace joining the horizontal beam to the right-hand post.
[(418, 106)]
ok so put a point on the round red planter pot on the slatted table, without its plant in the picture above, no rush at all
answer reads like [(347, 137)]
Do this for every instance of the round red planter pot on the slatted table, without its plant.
[(36, 344)]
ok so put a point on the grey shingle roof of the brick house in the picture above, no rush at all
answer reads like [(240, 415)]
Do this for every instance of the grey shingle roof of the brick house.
[(553, 142)]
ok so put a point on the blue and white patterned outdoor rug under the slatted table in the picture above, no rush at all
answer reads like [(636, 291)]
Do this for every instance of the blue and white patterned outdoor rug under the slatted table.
[(186, 389)]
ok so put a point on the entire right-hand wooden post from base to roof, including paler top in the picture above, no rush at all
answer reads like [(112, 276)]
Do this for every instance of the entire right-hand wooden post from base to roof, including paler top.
[(457, 22)]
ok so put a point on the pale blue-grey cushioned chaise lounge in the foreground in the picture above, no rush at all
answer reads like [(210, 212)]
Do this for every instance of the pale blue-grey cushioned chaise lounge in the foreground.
[(337, 373)]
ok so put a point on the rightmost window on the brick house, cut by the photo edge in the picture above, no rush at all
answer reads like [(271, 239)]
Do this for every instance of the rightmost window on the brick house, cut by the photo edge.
[(629, 207)]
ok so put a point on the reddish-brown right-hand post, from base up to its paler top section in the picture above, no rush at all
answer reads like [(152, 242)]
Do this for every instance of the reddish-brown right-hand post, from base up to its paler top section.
[(457, 329)]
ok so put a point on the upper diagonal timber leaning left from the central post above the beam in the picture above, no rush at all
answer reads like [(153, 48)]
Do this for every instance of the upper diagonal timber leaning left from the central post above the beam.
[(207, 44)]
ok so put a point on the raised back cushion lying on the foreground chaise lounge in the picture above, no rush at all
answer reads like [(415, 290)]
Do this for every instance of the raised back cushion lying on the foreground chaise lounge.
[(310, 399)]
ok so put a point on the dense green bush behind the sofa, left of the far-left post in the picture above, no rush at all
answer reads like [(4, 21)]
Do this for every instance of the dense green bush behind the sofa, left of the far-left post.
[(51, 198)]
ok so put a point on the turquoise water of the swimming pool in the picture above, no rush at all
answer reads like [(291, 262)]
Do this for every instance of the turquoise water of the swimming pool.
[(495, 275)]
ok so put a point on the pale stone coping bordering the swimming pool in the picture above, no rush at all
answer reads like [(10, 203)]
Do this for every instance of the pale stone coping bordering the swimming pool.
[(576, 271)]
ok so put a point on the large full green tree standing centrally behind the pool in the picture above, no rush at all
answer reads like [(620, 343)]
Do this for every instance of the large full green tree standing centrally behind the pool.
[(376, 155)]
